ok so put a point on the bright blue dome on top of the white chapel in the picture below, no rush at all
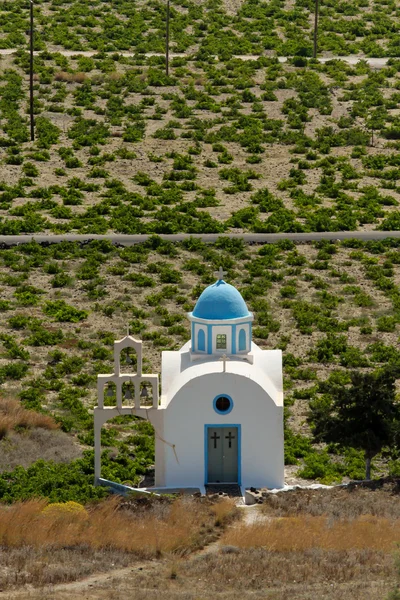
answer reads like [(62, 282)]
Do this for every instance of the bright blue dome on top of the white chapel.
[(220, 301)]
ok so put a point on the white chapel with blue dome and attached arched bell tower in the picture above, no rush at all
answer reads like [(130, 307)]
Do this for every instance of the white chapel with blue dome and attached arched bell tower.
[(219, 418)]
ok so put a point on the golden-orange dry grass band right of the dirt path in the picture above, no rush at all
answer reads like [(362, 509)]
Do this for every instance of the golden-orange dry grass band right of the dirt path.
[(299, 534)]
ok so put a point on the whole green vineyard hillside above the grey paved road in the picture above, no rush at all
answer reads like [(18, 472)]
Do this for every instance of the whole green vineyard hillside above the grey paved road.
[(220, 144)]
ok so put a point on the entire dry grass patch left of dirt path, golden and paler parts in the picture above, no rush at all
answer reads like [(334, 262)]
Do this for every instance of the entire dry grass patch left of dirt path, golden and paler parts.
[(44, 544)]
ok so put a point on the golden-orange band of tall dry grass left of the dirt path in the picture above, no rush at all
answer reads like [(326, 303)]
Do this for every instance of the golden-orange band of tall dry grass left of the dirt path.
[(177, 527)]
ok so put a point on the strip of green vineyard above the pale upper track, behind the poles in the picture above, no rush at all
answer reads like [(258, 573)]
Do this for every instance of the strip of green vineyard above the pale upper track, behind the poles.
[(213, 27)]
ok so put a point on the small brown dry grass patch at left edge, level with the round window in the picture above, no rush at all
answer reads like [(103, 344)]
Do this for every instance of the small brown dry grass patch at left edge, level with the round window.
[(13, 415)]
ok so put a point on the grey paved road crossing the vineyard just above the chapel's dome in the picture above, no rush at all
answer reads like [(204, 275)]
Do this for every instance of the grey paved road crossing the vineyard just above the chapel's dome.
[(210, 238)]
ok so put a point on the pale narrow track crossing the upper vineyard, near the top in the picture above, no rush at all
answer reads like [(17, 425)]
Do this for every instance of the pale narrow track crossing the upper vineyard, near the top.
[(377, 63)]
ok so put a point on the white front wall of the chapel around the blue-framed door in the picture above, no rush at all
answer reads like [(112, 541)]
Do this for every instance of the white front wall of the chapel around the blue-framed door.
[(190, 407)]
